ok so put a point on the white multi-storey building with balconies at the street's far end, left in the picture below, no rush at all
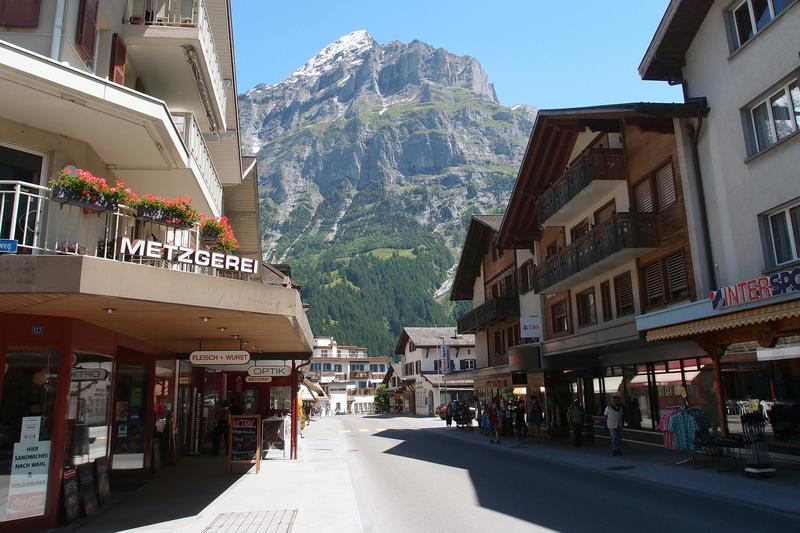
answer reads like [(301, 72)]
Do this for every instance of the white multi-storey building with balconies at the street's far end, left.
[(347, 375)]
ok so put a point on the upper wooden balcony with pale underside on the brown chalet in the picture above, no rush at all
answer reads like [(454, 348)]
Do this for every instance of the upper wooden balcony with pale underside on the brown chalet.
[(595, 173)]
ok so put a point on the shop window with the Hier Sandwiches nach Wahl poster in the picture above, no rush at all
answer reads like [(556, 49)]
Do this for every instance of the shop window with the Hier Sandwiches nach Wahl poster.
[(27, 417)]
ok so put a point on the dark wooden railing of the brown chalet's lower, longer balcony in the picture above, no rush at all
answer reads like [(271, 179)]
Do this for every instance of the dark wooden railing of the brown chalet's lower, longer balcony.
[(621, 231)]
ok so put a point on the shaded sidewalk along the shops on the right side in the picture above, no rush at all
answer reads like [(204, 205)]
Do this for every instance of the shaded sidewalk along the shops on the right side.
[(780, 491)]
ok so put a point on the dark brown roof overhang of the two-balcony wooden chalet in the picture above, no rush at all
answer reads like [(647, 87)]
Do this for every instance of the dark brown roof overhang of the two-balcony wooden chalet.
[(552, 140)]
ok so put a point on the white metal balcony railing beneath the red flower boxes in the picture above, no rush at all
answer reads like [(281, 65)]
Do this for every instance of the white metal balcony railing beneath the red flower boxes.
[(43, 226)]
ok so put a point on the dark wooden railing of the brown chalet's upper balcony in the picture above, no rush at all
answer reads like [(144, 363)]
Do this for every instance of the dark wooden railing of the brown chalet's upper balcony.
[(596, 164)]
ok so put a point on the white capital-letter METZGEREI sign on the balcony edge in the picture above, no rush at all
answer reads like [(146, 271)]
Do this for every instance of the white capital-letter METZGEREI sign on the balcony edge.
[(187, 256)]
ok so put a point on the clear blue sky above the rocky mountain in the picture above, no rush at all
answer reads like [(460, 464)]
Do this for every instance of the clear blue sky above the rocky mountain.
[(562, 53)]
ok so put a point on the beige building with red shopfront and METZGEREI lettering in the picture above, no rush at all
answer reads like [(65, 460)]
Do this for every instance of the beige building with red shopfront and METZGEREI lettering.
[(103, 301)]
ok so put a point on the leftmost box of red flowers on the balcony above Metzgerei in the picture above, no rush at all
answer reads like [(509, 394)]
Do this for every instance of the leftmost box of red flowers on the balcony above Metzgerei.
[(80, 187)]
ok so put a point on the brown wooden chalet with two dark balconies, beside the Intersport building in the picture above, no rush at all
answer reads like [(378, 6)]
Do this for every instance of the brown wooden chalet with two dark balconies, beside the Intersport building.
[(599, 209)]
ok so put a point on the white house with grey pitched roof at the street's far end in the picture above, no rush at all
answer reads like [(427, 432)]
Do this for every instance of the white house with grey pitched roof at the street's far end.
[(432, 359)]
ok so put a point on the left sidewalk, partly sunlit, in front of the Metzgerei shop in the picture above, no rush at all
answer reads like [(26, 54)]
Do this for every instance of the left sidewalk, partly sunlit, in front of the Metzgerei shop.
[(196, 493)]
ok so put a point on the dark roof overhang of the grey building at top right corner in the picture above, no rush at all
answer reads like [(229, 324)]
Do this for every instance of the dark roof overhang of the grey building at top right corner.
[(665, 56)]
